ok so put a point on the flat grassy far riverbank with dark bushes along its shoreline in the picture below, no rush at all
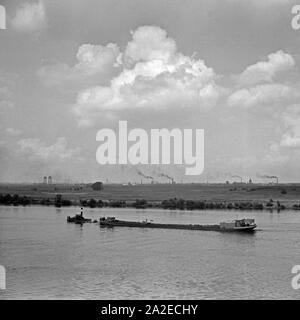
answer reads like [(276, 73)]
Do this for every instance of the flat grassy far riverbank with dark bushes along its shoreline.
[(172, 197)]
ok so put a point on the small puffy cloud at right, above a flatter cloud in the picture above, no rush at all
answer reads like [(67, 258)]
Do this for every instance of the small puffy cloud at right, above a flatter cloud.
[(266, 71)]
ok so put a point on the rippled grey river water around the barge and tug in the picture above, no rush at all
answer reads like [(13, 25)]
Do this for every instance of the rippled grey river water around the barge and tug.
[(45, 257)]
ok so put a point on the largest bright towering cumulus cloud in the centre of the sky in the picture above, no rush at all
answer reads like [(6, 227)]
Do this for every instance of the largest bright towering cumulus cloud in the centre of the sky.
[(154, 75)]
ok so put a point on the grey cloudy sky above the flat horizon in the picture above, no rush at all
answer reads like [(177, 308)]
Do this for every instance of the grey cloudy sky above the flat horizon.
[(69, 68)]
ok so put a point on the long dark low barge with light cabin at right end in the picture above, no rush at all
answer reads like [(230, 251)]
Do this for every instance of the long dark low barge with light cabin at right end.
[(242, 225)]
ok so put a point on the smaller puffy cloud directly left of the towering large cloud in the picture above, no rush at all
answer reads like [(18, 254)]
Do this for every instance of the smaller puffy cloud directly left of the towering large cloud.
[(92, 60)]
